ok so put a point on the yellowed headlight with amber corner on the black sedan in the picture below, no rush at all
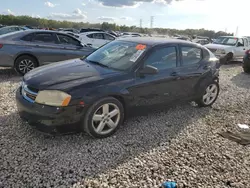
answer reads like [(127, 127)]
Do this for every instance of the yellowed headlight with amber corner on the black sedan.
[(53, 98)]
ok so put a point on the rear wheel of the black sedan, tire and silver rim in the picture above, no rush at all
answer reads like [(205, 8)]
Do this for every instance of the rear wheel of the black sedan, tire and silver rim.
[(204, 103)]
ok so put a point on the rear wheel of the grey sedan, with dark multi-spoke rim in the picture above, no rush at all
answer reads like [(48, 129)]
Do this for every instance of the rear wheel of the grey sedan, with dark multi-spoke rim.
[(24, 64)]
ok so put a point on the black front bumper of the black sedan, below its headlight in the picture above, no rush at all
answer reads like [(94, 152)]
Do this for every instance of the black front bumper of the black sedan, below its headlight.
[(43, 115)]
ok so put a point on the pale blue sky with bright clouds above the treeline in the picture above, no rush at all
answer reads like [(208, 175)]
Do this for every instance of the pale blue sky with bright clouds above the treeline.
[(218, 15)]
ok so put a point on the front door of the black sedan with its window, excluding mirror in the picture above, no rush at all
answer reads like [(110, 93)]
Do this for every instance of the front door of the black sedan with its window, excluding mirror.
[(161, 87)]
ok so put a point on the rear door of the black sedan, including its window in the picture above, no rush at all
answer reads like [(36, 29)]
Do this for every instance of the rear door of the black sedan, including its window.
[(190, 70)]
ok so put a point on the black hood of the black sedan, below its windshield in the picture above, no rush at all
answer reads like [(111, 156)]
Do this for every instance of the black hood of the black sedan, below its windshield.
[(66, 74)]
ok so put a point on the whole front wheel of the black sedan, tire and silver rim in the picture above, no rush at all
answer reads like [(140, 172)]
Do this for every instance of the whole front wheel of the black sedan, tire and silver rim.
[(96, 128)]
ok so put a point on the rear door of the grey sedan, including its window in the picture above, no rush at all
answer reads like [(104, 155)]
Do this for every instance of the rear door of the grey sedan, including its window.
[(46, 48)]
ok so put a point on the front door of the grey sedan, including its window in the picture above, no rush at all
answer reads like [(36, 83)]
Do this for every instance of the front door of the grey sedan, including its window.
[(72, 47)]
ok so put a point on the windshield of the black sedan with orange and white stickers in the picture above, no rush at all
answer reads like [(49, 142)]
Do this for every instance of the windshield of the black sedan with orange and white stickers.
[(118, 55)]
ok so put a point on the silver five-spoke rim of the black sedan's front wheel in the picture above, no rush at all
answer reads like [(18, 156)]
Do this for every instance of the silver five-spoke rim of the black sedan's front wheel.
[(106, 118)]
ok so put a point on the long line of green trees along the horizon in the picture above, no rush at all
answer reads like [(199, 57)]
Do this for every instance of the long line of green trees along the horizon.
[(45, 23)]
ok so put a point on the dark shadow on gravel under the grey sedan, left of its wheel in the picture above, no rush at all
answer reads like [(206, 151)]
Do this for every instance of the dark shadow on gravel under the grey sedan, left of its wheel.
[(9, 74)]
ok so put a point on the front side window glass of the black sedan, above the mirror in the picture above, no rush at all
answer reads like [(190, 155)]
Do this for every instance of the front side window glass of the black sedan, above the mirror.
[(163, 58)]
